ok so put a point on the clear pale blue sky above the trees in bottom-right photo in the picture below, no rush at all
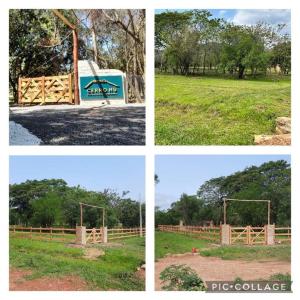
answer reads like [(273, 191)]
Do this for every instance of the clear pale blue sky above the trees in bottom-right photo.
[(186, 173)]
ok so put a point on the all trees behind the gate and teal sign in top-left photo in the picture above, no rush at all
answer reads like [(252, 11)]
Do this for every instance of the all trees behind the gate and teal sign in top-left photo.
[(41, 44)]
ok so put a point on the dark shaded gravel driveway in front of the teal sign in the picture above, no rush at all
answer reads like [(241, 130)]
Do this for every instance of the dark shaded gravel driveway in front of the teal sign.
[(84, 125)]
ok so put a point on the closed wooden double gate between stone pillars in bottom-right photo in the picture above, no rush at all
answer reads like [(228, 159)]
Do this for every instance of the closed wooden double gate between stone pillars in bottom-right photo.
[(248, 235)]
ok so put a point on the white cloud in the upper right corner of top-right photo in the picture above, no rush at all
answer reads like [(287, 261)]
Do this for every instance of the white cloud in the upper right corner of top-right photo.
[(270, 16)]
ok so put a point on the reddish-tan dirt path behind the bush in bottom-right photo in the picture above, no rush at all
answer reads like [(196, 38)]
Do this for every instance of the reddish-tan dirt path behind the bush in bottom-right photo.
[(214, 268)]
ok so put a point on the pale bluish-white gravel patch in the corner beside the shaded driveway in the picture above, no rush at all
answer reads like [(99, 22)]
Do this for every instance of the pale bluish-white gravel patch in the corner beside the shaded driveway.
[(18, 135)]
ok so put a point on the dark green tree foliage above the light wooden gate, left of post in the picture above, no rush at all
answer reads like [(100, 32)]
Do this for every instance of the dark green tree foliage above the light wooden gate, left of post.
[(31, 34)]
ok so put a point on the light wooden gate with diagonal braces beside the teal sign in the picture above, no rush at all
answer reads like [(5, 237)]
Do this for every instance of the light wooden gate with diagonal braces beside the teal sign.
[(45, 90)]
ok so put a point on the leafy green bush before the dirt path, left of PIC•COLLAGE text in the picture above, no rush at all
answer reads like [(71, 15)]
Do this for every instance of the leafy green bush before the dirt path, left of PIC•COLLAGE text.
[(181, 278)]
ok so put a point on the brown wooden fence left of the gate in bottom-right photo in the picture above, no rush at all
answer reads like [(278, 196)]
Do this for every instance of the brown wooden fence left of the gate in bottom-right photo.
[(201, 232)]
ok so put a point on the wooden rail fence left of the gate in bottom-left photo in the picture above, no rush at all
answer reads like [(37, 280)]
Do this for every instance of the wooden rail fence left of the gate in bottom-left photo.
[(45, 234)]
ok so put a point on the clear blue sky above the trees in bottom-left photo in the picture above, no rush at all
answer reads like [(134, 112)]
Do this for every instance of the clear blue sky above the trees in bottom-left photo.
[(95, 173)]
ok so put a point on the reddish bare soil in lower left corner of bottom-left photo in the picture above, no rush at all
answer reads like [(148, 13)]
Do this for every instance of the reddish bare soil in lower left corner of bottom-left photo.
[(19, 282)]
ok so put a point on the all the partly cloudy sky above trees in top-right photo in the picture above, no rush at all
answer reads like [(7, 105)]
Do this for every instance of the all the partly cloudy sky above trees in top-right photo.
[(251, 16)]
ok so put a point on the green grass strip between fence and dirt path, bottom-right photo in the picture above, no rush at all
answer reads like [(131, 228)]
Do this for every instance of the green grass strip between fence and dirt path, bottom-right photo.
[(166, 242)]
